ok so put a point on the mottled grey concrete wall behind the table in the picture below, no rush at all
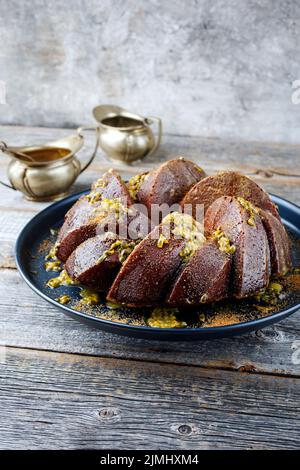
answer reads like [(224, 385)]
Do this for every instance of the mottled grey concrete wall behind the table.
[(214, 68)]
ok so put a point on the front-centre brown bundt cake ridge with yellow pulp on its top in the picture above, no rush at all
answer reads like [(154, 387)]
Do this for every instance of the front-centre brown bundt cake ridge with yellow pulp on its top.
[(148, 272)]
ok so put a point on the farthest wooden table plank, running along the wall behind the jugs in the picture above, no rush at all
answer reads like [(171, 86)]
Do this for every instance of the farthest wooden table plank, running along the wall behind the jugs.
[(283, 158)]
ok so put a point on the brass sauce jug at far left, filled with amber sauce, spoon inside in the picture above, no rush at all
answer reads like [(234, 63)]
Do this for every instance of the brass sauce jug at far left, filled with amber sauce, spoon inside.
[(46, 172)]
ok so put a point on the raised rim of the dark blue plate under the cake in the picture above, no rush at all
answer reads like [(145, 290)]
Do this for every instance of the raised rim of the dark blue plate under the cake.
[(144, 330)]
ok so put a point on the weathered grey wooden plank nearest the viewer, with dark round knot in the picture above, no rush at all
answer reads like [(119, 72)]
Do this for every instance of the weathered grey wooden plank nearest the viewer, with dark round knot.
[(59, 401)]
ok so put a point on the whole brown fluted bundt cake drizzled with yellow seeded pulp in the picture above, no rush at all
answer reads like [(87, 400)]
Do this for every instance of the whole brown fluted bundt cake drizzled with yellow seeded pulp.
[(181, 261)]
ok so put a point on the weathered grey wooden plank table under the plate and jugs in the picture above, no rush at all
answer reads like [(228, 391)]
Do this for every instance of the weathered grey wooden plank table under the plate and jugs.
[(66, 386)]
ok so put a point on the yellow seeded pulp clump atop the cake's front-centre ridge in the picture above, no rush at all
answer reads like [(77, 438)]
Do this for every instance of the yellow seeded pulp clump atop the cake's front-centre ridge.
[(186, 227)]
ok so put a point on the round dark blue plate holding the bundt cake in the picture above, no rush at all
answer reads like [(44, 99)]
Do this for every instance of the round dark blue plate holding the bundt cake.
[(34, 240)]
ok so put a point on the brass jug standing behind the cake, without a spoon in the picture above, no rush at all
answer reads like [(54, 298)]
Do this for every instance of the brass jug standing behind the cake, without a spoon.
[(126, 136)]
